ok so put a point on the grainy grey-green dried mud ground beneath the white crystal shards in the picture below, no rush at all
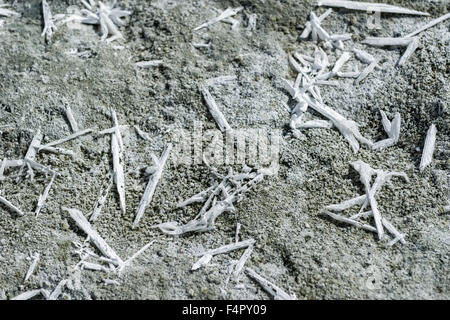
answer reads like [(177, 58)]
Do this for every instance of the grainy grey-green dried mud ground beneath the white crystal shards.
[(296, 248)]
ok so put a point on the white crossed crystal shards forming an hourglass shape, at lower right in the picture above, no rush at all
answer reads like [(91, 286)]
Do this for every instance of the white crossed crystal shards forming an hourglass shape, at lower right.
[(381, 177)]
